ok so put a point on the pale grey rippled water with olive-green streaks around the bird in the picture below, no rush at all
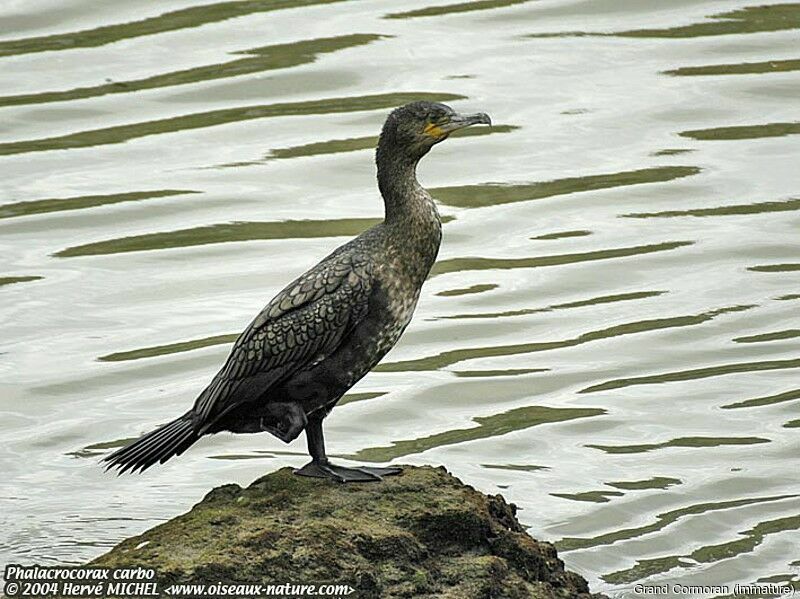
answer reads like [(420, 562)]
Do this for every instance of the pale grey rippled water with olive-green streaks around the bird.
[(610, 338)]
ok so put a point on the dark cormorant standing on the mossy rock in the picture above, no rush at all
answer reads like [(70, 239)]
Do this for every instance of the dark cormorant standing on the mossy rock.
[(329, 327)]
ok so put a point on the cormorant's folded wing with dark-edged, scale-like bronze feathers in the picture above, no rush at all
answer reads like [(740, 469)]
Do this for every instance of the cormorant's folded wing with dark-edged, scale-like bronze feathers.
[(300, 326)]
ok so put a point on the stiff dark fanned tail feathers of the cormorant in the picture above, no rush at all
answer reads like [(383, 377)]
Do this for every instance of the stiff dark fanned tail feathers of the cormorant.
[(156, 446)]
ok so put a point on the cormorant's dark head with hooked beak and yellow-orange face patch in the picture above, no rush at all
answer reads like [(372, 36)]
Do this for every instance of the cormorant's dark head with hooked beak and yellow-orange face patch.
[(412, 130)]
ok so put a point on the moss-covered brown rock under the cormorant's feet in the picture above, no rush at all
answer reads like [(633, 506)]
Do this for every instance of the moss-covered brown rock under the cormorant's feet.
[(422, 534)]
